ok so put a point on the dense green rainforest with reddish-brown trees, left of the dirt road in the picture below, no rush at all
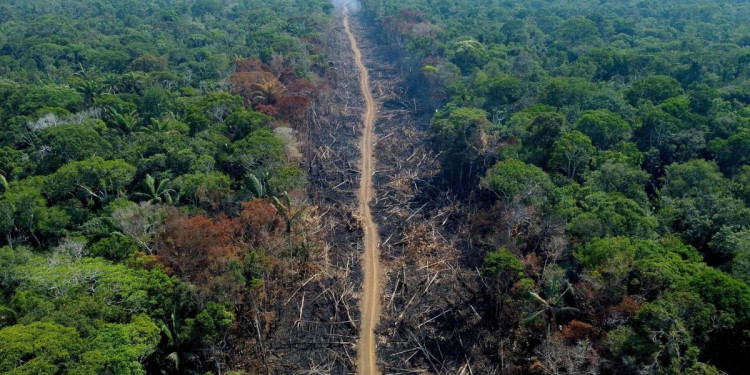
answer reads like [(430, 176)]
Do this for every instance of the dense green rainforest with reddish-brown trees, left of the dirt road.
[(152, 195)]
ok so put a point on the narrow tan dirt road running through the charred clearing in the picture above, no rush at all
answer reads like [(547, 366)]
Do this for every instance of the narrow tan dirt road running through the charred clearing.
[(370, 301)]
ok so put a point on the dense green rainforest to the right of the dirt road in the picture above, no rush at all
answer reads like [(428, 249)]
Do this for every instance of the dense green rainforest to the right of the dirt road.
[(602, 149)]
